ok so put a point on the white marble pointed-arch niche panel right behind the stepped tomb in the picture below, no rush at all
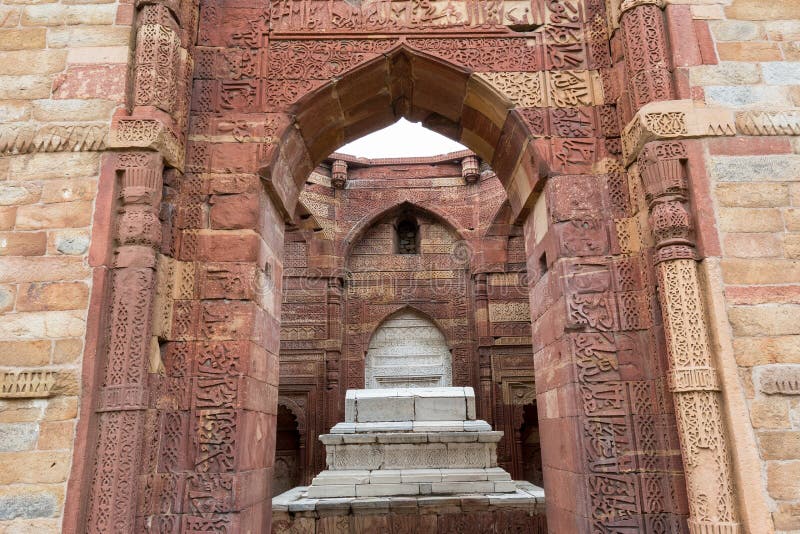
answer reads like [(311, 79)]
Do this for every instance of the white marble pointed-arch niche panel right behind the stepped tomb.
[(408, 349)]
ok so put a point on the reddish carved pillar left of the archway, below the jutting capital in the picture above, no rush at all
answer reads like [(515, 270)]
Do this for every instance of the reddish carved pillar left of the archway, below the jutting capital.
[(123, 392)]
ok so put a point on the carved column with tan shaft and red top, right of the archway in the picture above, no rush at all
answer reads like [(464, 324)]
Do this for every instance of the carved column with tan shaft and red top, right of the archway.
[(692, 375)]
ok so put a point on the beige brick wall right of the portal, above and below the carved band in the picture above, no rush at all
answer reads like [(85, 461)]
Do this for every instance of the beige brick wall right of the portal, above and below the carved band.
[(755, 186)]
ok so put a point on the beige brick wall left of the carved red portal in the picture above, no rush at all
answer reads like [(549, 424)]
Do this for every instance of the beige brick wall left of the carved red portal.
[(62, 76)]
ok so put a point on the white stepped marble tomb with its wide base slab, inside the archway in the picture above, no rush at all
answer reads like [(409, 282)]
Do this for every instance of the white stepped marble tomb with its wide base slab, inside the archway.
[(418, 449)]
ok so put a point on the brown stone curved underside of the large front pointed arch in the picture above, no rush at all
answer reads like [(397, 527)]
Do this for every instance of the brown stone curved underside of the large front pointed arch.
[(404, 82)]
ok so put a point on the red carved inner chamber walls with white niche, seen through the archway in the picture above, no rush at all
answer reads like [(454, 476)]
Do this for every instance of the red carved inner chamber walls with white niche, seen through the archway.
[(407, 273)]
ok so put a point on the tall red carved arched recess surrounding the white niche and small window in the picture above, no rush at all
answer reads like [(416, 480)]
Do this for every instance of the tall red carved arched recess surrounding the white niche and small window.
[(403, 283)]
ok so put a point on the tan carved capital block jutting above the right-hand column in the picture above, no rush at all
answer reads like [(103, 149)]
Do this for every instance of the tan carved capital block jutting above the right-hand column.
[(673, 119)]
